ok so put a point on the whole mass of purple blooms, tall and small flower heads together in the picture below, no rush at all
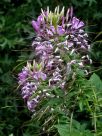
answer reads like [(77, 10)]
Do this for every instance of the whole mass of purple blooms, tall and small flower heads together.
[(60, 44)]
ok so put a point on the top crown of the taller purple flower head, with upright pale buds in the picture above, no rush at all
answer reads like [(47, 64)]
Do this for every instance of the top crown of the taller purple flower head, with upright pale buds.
[(50, 25)]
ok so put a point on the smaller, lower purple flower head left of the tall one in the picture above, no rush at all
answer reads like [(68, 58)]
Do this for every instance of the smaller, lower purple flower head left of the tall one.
[(29, 79)]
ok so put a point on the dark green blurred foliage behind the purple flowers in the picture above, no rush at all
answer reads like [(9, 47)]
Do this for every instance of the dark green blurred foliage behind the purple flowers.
[(16, 35)]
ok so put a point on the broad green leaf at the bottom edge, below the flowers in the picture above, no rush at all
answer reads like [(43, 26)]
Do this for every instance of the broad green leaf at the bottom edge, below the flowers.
[(72, 128)]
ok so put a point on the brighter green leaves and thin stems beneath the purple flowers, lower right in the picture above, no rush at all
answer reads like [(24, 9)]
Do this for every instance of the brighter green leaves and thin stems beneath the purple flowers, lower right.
[(78, 112)]
